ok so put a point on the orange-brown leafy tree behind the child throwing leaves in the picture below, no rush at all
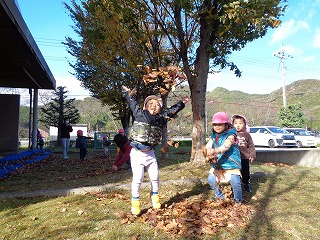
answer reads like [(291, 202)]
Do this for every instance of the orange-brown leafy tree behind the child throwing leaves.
[(112, 46)]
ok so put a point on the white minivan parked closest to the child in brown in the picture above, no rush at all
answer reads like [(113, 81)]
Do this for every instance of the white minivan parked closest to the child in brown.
[(271, 136)]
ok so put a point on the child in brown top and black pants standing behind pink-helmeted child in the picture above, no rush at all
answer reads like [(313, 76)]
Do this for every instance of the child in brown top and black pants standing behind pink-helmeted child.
[(246, 147)]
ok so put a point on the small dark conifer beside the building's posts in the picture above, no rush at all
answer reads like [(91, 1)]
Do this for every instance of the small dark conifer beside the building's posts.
[(53, 113)]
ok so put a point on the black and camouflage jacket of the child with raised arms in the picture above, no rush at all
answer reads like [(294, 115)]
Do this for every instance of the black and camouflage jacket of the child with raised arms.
[(147, 128)]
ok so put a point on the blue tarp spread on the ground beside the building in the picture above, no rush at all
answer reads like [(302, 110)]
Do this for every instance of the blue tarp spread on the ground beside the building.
[(9, 163)]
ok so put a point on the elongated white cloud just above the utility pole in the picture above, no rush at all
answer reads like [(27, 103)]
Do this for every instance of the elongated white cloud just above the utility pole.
[(288, 29)]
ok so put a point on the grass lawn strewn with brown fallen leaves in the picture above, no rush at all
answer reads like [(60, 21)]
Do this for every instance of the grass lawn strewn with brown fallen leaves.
[(284, 203)]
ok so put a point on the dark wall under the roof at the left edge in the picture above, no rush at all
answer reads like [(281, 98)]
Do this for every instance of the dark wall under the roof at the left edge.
[(9, 122)]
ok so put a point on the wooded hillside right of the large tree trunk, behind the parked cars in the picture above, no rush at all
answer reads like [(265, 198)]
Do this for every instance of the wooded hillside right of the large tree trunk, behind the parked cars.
[(262, 109)]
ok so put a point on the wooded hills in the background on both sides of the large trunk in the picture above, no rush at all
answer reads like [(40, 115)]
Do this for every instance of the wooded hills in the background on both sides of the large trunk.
[(260, 109)]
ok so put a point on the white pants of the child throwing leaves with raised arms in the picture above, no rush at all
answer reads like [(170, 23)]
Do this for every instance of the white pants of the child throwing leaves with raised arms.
[(139, 162)]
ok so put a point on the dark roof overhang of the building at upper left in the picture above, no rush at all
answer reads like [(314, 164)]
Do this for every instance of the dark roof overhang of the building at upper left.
[(21, 62)]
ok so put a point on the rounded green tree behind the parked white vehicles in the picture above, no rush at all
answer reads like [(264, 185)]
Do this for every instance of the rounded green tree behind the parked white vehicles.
[(292, 116)]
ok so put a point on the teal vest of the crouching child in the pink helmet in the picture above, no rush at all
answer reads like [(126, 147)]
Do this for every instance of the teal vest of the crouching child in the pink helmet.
[(231, 159)]
